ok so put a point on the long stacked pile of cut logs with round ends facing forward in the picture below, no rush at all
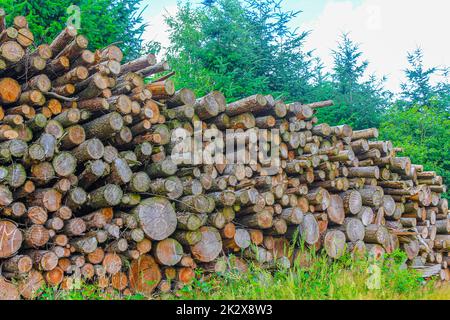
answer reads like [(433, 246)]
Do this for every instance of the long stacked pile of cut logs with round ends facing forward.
[(89, 188)]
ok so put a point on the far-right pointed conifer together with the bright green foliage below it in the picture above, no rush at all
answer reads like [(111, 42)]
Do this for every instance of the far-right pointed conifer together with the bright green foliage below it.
[(420, 121)]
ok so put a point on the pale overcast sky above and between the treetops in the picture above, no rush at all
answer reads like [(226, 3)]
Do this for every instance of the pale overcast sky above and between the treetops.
[(385, 29)]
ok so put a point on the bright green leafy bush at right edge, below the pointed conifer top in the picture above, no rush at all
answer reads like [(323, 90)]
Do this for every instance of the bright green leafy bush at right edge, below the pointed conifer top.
[(424, 134)]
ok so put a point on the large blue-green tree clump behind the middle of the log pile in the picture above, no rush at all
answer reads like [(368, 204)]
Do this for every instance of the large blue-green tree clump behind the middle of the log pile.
[(238, 47)]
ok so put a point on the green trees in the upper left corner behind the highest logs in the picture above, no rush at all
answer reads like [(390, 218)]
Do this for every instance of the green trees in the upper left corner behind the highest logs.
[(103, 21)]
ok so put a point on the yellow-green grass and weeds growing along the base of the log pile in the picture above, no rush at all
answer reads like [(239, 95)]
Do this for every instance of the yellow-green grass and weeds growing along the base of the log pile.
[(342, 279)]
